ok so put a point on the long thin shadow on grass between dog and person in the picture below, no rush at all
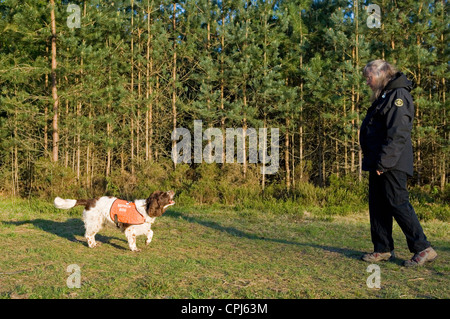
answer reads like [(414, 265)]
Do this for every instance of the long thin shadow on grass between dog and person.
[(354, 254)]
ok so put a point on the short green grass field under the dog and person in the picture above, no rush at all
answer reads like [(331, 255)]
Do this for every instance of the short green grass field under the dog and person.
[(209, 252)]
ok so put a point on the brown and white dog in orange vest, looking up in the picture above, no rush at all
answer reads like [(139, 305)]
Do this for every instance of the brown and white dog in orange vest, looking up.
[(98, 212)]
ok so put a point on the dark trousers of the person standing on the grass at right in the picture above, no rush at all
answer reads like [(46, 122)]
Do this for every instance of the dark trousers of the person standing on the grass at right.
[(388, 199)]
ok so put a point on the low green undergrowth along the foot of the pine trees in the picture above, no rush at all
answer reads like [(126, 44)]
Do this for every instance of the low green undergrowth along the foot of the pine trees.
[(213, 184)]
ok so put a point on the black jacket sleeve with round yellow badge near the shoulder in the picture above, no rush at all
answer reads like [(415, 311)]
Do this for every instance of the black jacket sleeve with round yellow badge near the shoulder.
[(399, 117)]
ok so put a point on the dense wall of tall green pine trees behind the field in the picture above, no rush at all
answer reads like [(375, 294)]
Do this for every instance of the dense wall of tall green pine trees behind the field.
[(90, 109)]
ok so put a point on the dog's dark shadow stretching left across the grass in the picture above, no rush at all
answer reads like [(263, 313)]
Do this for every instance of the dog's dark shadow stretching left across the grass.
[(67, 229)]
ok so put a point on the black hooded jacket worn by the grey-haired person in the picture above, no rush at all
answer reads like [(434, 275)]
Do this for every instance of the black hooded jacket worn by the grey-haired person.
[(385, 134)]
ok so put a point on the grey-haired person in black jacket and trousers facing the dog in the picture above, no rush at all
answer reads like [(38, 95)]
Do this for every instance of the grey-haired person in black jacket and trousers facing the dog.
[(385, 139)]
